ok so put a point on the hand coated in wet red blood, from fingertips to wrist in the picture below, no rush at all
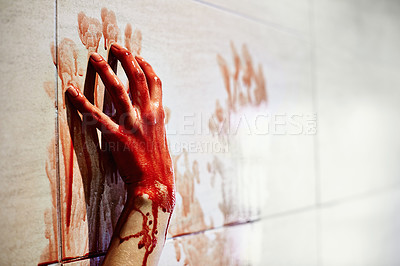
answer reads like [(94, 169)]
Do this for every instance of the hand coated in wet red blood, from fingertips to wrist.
[(135, 134)]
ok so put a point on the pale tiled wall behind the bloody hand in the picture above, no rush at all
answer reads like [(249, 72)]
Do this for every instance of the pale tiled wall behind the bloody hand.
[(336, 59)]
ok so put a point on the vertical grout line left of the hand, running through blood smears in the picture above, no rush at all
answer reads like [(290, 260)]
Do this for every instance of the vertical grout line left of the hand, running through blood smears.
[(57, 133)]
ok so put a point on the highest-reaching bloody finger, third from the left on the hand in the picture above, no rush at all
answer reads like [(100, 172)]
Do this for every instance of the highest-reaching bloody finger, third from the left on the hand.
[(137, 79)]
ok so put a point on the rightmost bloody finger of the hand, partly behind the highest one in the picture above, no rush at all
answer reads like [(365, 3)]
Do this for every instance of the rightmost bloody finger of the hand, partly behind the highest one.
[(153, 80)]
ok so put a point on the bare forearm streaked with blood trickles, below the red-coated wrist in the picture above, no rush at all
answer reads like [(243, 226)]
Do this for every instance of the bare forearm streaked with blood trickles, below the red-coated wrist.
[(140, 233)]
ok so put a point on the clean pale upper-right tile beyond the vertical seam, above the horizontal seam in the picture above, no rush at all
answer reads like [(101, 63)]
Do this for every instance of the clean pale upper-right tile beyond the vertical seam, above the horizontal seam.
[(357, 61)]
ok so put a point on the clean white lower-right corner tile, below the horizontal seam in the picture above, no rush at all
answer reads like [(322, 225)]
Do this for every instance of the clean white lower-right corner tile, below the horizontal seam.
[(362, 232)]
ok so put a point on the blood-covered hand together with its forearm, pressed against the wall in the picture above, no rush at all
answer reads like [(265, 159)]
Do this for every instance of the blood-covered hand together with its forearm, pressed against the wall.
[(137, 134)]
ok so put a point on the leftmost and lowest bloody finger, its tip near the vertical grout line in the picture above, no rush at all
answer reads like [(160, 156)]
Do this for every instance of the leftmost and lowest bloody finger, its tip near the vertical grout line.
[(99, 120)]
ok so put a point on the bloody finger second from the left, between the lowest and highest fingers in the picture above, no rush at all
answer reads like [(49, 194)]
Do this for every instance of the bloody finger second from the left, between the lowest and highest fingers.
[(113, 84)]
